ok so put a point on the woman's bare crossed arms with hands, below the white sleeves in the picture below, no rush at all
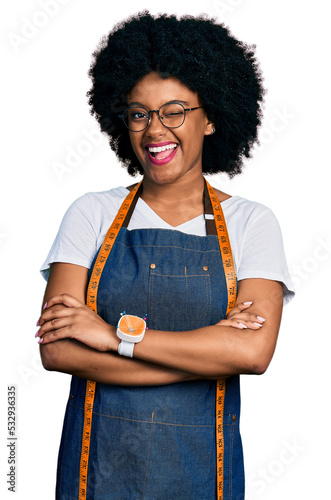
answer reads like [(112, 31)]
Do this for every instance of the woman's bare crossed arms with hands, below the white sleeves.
[(75, 340)]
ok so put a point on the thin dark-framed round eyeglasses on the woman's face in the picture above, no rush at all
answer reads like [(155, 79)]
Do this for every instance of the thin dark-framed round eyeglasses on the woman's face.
[(171, 115)]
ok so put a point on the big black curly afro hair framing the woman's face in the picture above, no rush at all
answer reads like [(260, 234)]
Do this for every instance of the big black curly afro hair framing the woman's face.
[(200, 53)]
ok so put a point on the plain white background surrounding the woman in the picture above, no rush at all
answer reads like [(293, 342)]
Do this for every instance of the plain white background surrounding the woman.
[(45, 118)]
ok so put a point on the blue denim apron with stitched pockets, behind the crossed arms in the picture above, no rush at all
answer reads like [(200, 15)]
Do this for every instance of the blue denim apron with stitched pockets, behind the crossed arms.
[(156, 442)]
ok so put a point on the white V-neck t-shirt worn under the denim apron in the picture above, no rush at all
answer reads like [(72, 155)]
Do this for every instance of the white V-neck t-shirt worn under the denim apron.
[(254, 233)]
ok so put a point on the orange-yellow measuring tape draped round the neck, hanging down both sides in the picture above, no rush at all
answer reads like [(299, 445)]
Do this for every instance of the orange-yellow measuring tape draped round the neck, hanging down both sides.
[(92, 290)]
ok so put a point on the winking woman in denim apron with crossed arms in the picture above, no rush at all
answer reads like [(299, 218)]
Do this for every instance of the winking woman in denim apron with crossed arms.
[(159, 418)]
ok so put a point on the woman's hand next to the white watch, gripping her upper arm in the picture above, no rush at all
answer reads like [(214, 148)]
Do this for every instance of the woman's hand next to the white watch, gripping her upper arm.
[(64, 316)]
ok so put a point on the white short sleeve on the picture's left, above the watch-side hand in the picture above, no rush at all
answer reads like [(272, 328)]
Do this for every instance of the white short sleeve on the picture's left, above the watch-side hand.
[(76, 240)]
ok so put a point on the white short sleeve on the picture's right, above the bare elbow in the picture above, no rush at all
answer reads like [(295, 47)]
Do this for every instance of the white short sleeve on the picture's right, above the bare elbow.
[(262, 254)]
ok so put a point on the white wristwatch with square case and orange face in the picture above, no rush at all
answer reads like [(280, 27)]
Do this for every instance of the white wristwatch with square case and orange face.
[(131, 330)]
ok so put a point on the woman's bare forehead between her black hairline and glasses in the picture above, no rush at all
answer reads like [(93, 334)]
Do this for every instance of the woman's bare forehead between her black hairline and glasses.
[(153, 91)]
